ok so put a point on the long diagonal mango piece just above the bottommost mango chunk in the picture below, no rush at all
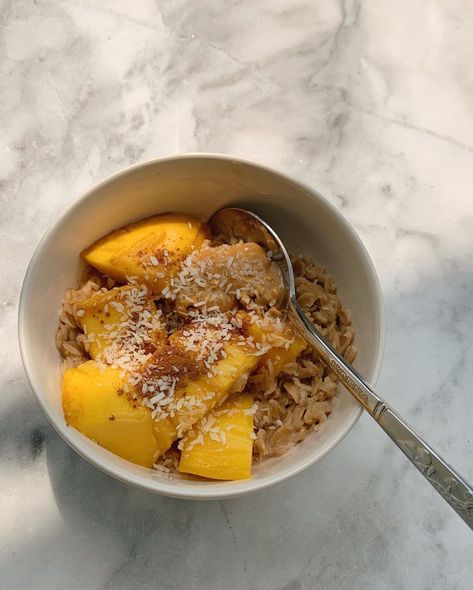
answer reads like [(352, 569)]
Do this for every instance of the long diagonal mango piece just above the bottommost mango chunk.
[(196, 397)]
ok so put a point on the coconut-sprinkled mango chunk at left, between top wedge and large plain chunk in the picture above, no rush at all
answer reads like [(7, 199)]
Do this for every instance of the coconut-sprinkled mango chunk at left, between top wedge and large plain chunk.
[(111, 319)]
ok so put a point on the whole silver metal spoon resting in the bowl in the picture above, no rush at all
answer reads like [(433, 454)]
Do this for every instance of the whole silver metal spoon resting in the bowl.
[(244, 225)]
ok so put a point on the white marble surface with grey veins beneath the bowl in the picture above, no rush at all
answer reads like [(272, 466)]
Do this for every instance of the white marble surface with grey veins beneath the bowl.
[(369, 101)]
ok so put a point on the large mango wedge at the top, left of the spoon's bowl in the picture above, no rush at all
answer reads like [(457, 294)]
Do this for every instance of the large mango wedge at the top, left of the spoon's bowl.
[(151, 250)]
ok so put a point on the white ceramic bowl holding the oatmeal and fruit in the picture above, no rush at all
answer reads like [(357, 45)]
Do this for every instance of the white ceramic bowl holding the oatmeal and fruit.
[(198, 184)]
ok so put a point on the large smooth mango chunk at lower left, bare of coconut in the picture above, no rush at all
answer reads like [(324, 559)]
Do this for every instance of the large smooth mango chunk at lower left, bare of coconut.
[(94, 403)]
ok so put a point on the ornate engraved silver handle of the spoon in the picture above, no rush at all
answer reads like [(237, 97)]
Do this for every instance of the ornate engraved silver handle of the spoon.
[(448, 483)]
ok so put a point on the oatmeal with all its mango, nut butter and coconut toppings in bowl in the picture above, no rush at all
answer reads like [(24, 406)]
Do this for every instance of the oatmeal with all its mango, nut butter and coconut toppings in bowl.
[(191, 354)]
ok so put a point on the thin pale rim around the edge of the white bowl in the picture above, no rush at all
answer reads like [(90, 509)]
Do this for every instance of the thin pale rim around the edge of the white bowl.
[(168, 488)]
